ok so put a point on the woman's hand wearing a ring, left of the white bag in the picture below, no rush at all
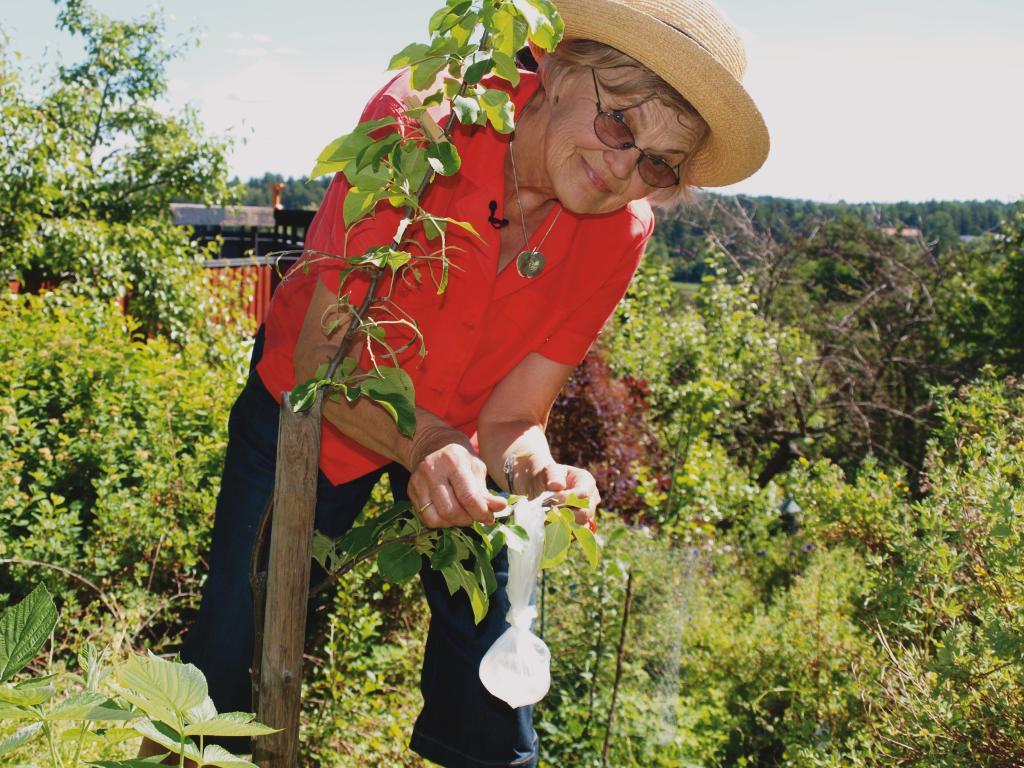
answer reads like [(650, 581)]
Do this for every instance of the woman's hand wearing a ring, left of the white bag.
[(449, 486)]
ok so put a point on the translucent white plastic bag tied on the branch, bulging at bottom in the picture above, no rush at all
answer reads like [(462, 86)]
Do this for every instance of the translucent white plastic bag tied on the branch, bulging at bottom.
[(518, 668)]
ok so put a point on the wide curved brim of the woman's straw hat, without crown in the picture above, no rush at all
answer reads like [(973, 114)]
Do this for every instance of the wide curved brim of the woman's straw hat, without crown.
[(738, 144)]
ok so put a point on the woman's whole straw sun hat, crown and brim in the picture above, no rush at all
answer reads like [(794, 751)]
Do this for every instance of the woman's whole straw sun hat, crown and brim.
[(695, 49)]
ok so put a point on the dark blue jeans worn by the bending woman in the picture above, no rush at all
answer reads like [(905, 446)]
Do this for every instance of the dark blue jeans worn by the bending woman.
[(461, 724)]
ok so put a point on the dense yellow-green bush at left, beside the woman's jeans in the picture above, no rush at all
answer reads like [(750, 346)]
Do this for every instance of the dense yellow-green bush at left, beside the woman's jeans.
[(111, 449)]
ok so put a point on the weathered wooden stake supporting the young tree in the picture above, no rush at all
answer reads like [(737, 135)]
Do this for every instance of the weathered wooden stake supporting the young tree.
[(288, 583)]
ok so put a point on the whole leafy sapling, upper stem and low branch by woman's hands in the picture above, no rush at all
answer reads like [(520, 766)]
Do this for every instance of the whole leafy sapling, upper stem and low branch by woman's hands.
[(395, 167)]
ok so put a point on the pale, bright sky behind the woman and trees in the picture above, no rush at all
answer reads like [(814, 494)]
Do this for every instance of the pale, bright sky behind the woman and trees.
[(875, 101)]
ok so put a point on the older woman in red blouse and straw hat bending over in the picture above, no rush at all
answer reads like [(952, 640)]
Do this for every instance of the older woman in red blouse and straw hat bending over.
[(641, 103)]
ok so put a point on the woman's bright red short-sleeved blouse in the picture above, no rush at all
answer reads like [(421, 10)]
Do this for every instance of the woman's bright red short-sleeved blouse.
[(486, 323)]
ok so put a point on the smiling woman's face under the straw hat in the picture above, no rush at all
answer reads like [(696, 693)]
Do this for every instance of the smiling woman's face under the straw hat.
[(588, 177)]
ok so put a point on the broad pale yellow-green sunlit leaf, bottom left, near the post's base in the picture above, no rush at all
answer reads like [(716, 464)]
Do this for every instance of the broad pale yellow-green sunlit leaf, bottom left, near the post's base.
[(162, 687)]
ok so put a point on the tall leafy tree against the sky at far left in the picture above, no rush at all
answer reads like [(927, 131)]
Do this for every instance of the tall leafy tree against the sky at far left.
[(91, 168)]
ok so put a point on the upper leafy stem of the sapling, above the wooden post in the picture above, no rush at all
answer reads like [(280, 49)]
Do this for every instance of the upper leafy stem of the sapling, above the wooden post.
[(386, 162)]
